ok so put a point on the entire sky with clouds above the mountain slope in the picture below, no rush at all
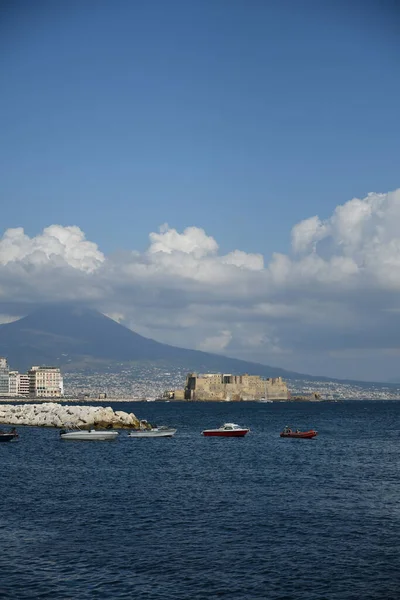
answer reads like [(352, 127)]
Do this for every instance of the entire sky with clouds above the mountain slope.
[(220, 175)]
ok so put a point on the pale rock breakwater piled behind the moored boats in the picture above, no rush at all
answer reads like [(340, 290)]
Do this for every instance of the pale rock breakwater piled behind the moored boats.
[(52, 414)]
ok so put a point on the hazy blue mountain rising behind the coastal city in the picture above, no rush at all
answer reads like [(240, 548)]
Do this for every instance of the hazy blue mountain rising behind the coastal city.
[(78, 338)]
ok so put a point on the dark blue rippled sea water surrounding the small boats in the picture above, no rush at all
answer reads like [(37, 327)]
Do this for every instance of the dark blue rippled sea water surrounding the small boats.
[(196, 518)]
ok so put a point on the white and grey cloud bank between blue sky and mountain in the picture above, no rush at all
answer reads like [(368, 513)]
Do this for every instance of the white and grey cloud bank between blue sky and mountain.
[(331, 301)]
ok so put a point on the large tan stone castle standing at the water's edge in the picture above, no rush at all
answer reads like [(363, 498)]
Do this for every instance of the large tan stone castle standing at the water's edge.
[(217, 386)]
